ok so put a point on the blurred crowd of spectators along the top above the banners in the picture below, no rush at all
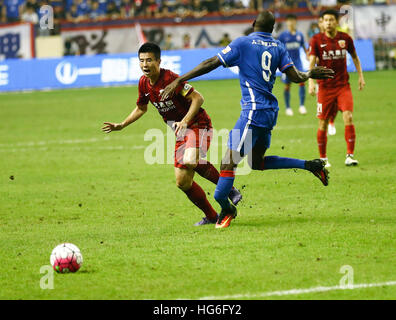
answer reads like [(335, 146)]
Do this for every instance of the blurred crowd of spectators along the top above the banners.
[(96, 10)]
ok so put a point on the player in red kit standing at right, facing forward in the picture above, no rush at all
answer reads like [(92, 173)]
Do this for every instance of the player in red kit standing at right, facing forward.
[(330, 48)]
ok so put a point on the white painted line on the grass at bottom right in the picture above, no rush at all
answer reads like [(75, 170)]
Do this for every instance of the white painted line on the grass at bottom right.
[(299, 291)]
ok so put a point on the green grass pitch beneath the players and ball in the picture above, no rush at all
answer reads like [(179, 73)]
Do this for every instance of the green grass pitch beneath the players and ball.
[(63, 180)]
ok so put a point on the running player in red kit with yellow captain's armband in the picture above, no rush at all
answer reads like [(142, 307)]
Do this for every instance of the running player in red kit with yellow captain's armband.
[(191, 124)]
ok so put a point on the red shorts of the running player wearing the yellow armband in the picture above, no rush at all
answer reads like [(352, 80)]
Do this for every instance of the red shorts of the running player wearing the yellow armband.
[(198, 136)]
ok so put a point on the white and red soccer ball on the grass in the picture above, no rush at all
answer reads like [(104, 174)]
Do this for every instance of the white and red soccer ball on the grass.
[(66, 258)]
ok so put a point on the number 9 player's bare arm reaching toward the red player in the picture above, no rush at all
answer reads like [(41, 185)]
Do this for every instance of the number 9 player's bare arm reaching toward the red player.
[(203, 68)]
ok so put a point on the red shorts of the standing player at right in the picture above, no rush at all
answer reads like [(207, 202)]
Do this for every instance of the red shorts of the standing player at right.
[(330, 100)]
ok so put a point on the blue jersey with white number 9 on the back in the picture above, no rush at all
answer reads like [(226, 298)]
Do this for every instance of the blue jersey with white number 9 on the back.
[(258, 56)]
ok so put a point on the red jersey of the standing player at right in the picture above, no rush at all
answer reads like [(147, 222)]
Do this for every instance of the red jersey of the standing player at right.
[(332, 53)]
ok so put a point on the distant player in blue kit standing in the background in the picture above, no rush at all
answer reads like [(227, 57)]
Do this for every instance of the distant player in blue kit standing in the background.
[(293, 40)]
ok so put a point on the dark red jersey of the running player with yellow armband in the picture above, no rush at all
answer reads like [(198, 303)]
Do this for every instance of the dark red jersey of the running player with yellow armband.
[(174, 108)]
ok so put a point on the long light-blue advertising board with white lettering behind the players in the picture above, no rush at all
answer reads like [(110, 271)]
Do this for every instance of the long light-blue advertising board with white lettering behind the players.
[(120, 69)]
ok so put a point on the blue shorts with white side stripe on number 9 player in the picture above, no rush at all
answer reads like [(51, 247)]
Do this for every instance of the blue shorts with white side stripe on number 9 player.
[(252, 129)]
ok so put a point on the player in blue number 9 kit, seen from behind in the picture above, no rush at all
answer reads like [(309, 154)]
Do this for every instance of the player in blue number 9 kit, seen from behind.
[(258, 56)]
